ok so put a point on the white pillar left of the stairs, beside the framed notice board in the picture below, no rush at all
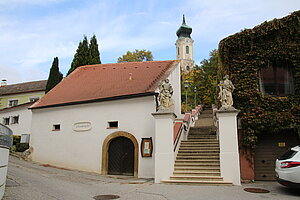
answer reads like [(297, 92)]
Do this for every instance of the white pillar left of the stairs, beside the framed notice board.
[(163, 146)]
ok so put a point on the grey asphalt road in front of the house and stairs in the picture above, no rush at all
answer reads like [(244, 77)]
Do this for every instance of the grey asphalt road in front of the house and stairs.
[(31, 181)]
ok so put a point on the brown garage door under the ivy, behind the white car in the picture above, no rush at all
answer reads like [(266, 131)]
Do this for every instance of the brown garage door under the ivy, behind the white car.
[(269, 148)]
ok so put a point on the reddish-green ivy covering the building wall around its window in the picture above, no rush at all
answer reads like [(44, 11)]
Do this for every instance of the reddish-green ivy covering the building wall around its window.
[(243, 55)]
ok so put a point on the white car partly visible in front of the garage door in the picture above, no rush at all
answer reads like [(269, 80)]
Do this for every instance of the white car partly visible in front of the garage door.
[(288, 168)]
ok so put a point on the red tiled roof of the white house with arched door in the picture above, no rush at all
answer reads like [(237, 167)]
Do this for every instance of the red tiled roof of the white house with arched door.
[(104, 81)]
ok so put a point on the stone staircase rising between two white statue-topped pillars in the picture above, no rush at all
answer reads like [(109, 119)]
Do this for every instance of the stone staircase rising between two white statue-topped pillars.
[(197, 161)]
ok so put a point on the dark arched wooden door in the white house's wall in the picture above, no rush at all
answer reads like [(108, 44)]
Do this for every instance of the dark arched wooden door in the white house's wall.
[(121, 157)]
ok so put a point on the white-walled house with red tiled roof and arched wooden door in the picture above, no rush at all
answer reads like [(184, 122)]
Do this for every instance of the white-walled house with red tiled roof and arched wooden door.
[(96, 118)]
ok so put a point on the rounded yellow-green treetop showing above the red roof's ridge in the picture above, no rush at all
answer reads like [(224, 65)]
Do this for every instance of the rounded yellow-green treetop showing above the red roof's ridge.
[(136, 56)]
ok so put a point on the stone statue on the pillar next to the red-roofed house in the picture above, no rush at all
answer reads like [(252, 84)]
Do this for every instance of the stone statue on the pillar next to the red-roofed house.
[(165, 96)]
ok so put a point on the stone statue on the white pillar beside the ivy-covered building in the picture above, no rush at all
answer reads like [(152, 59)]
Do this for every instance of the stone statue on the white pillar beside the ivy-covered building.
[(225, 95)]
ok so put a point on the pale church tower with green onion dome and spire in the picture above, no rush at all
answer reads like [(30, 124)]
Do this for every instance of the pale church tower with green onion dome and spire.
[(184, 47)]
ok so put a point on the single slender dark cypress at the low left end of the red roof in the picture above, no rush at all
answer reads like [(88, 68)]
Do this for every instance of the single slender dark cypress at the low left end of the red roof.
[(55, 76)]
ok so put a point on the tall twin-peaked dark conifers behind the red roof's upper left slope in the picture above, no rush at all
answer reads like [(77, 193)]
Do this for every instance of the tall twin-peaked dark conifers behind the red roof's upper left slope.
[(86, 54)]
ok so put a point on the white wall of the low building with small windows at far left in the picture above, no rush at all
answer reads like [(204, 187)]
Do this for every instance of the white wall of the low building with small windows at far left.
[(24, 125)]
